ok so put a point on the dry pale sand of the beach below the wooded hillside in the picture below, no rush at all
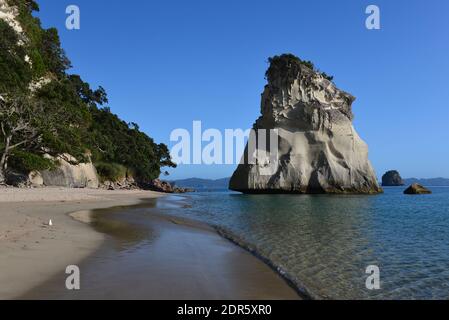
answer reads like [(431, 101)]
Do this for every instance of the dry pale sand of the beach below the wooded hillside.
[(30, 250)]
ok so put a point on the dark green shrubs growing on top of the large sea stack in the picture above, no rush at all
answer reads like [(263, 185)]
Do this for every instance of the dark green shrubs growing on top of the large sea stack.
[(288, 65)]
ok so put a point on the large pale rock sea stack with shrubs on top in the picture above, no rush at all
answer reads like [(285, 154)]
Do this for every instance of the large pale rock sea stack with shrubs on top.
[(319, 150)]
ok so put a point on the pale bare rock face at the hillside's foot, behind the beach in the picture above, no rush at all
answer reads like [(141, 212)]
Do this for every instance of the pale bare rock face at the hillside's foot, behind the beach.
[(68, 174)]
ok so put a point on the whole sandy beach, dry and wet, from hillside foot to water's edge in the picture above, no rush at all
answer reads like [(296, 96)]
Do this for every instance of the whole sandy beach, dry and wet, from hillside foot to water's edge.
[(129, 253)]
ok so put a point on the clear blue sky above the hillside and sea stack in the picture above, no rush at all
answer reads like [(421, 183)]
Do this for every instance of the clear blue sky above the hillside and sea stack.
[(167, 63)]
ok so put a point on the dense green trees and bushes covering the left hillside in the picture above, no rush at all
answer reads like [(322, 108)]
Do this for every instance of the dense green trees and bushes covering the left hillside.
[(73, 118)]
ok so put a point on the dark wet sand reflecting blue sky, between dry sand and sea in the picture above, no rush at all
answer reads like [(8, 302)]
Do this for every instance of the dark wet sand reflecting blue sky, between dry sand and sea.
[(148, 256)]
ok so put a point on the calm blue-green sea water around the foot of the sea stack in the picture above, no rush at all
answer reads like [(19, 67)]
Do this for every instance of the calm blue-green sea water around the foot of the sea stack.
[(324, 243)]
